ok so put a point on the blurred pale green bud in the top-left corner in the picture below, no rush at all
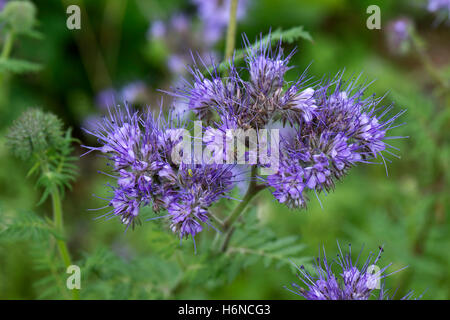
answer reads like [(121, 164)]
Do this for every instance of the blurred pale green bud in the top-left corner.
[(19, 16)]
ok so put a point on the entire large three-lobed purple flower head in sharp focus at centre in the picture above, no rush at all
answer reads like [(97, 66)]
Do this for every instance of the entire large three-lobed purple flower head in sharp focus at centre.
[(327, 128)]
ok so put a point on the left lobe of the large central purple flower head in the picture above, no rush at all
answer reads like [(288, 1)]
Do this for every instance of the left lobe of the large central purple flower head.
[(140, 148)]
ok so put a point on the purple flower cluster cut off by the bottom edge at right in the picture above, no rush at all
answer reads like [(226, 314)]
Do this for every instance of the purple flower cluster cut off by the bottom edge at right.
[(350, 281)]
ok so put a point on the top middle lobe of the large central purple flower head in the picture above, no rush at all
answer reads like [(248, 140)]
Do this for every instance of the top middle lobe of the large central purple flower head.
[(253, 103)]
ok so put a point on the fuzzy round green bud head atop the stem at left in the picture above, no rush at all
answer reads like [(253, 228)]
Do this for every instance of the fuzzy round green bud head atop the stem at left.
[(35, 132)]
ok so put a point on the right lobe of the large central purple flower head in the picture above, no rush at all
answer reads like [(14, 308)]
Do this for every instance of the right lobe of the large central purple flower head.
[(345, 129)]
